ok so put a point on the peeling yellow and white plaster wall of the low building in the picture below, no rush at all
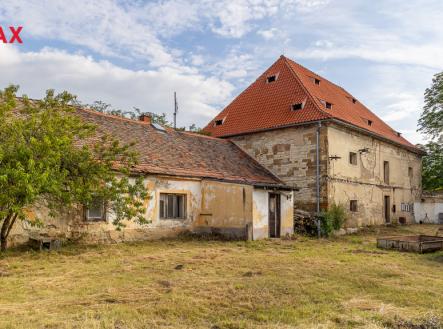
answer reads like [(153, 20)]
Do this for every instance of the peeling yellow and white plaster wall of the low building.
[(212, 206)]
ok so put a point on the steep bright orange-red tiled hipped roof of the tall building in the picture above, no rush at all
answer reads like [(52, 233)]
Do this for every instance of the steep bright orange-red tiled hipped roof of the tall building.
[(264, 105)]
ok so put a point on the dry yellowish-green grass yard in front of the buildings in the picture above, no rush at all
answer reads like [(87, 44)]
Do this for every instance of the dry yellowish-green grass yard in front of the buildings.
[(304, 283)]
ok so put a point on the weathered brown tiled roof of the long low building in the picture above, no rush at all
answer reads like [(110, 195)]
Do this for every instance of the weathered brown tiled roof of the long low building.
[(170, 152)]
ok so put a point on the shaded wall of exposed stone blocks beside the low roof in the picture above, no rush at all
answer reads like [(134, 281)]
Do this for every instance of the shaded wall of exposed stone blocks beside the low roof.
[(290, 153)]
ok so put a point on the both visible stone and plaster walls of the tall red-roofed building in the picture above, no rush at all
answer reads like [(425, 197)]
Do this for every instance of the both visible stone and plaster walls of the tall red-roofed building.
[(290, 153)]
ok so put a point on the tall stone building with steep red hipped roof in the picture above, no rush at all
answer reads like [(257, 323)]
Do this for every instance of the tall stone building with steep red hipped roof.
[(363, 163)]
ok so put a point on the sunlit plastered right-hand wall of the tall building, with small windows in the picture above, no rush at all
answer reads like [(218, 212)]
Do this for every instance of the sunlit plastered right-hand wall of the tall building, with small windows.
[(364, 181)]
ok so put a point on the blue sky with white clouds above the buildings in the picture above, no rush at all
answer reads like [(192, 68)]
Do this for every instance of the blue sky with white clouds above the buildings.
[(137, 53)]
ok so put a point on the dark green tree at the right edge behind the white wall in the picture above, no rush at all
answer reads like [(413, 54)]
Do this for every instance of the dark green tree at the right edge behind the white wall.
[(431, 124)]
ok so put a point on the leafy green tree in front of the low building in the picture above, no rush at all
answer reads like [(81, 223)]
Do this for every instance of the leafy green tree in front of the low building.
[(44, 159)]
